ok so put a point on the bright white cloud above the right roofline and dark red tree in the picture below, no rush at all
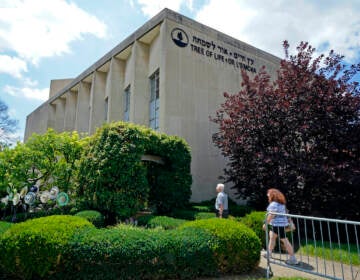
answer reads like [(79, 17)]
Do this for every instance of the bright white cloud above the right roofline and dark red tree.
[(266, 24)]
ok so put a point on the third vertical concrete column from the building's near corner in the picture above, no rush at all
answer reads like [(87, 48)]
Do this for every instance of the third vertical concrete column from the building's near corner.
[(97, 101)]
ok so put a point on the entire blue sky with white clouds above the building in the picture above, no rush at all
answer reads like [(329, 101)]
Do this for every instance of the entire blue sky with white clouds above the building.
[(42, 40)]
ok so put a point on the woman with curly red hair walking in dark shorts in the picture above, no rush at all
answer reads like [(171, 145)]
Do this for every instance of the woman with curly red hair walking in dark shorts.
[(278, 223)]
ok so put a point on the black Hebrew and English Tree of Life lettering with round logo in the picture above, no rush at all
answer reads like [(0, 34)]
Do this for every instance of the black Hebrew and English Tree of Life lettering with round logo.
[(214, 51)]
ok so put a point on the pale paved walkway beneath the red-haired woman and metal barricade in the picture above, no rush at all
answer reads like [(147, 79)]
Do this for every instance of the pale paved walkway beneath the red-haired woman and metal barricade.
[(306, 263)]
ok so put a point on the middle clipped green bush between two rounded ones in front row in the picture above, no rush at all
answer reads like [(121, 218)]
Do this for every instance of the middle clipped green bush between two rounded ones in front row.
[(126, 252)]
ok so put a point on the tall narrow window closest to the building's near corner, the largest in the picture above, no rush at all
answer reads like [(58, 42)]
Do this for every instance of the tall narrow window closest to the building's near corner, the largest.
[(154, 101)]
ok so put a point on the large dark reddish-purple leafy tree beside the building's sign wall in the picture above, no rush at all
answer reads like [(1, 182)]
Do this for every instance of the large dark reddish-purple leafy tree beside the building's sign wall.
[(299, 133)]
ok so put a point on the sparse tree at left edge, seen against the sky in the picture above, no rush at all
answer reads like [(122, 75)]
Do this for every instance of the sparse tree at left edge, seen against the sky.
[(8, 126)]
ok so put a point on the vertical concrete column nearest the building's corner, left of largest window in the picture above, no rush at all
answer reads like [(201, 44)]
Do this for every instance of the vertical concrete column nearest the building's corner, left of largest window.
[(140, 95)]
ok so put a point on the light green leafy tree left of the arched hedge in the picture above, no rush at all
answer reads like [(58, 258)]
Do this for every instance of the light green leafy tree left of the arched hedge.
[(46, 160)]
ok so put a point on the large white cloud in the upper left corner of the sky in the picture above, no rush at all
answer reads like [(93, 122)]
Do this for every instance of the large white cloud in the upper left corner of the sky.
[(35, 28)]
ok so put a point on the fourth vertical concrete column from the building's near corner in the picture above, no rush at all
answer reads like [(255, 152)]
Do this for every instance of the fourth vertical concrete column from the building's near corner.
[(83, 108)]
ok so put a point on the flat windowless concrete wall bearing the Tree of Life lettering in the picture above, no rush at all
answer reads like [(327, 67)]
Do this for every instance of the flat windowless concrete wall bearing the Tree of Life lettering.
[(196, 76)]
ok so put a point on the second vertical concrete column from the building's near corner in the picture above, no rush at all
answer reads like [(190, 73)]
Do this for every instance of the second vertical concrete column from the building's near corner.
[(115, 89)]
